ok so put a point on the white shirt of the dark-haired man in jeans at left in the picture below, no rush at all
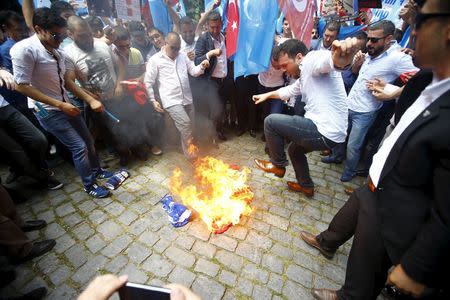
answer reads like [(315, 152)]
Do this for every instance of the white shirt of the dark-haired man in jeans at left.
[(34, 65)]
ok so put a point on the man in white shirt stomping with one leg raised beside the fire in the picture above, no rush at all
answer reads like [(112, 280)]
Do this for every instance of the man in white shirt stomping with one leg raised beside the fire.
[(325, 122)]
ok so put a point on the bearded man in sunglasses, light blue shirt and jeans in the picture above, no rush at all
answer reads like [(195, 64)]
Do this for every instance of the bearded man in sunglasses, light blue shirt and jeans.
[(385, 61)]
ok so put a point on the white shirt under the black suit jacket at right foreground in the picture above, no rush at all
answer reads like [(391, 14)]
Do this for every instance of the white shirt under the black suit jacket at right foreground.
[(426, 98)]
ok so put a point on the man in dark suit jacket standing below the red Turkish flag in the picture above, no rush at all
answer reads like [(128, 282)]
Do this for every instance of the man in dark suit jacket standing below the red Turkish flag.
[(210, 90)]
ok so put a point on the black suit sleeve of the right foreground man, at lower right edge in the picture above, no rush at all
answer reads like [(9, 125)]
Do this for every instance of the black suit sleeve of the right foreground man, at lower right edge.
[(426, 255)]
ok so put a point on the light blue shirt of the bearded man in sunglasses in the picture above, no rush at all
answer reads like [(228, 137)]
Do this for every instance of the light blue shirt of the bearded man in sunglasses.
[(387, 66)]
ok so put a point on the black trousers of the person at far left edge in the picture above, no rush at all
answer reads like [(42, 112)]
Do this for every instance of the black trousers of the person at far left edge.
[(23, 143)]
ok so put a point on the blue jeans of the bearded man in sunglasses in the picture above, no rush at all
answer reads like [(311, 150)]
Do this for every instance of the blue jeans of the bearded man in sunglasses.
[(359, 124)]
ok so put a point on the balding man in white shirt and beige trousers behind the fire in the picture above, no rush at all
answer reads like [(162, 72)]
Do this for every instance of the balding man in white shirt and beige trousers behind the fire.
[(169, 69)]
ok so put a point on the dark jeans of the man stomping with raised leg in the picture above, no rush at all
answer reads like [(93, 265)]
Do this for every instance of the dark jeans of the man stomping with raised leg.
[(304, 137)]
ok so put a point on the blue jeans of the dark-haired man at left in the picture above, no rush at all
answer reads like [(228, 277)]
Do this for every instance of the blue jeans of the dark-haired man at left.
[(73, 133)]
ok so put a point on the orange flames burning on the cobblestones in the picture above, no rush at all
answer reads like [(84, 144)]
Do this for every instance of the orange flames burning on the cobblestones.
[(221, 194)]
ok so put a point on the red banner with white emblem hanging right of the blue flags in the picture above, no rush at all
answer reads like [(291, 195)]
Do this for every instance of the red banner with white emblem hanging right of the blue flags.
[(300, 14)]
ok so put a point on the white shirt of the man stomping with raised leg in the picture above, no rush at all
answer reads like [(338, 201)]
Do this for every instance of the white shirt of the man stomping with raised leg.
[(323, 92)]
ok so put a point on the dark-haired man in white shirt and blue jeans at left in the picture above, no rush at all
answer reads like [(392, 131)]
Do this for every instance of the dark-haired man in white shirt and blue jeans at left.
[(39, 72)]
